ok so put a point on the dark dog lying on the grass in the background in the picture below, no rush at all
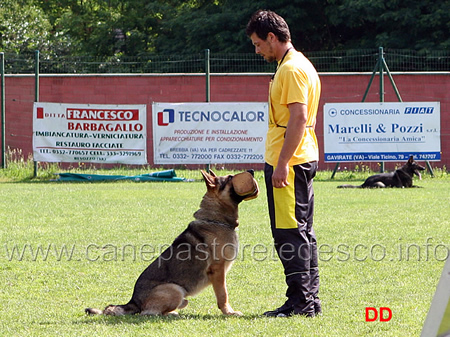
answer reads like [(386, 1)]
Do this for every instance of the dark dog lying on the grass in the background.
[(401, 177)]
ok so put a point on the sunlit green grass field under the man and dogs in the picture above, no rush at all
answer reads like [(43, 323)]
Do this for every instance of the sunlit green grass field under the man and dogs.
[(68, 246)]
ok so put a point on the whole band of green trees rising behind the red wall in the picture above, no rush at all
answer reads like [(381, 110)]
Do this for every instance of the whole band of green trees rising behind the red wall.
[(135, 27)]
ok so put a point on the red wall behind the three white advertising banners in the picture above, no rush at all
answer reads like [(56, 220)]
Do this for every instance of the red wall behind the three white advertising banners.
[(146, 89)]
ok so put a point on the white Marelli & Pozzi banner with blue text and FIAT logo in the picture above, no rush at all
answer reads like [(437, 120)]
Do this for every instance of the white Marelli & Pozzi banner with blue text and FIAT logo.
[(382, 131)]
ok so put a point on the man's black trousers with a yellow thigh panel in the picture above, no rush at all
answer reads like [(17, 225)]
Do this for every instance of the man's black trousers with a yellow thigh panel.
[(291, 211)]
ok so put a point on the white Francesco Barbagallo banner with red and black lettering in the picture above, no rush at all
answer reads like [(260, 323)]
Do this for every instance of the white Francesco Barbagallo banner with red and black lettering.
[(89, 133)]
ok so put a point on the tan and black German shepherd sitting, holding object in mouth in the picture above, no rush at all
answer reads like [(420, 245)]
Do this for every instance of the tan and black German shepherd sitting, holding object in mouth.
[(199, 256)]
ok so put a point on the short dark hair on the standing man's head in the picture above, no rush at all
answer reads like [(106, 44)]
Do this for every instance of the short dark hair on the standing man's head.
[(264, 22)]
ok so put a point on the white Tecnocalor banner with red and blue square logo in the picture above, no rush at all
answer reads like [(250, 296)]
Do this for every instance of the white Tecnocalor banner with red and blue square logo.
[(207, 133)]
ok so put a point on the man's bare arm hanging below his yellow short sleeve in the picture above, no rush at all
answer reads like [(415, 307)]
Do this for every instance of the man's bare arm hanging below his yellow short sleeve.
[(294, 133)]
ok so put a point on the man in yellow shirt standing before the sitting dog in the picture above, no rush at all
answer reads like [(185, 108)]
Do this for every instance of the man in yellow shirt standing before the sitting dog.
[(291, 161)]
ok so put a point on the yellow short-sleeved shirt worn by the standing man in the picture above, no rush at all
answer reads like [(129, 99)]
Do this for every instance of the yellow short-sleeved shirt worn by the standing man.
[(296, 81)]
